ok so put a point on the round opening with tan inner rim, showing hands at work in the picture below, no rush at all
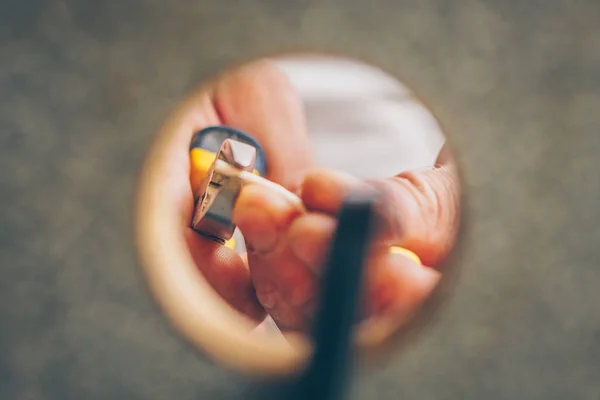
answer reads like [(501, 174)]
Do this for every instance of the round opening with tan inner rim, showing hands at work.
[(327, 126)]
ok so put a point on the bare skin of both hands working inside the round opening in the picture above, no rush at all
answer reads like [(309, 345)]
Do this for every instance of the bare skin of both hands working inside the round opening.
[(280, 274)]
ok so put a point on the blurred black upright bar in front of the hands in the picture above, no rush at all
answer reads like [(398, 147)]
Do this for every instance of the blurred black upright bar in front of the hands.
[(326, 377)]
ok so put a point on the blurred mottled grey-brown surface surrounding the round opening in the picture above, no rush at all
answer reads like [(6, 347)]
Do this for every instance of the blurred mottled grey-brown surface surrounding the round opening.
[(85, 84)]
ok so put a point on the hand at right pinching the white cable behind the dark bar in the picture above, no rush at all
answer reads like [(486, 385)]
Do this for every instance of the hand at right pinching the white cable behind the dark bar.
[(287, 248)]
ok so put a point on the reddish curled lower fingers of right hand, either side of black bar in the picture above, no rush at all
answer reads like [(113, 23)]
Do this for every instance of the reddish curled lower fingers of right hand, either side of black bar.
[(287, 251)]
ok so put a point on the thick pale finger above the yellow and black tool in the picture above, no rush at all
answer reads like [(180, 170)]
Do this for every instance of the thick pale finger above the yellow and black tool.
[(259, 99)]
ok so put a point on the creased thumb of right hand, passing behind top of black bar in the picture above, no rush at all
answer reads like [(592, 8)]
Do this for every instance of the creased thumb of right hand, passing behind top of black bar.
[(419, 210)]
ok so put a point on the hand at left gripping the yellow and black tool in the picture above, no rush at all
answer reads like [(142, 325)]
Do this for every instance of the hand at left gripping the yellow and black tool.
[(259, 100)]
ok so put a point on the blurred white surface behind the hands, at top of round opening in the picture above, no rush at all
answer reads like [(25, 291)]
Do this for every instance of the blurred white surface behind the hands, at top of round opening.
[(361, 120)]
